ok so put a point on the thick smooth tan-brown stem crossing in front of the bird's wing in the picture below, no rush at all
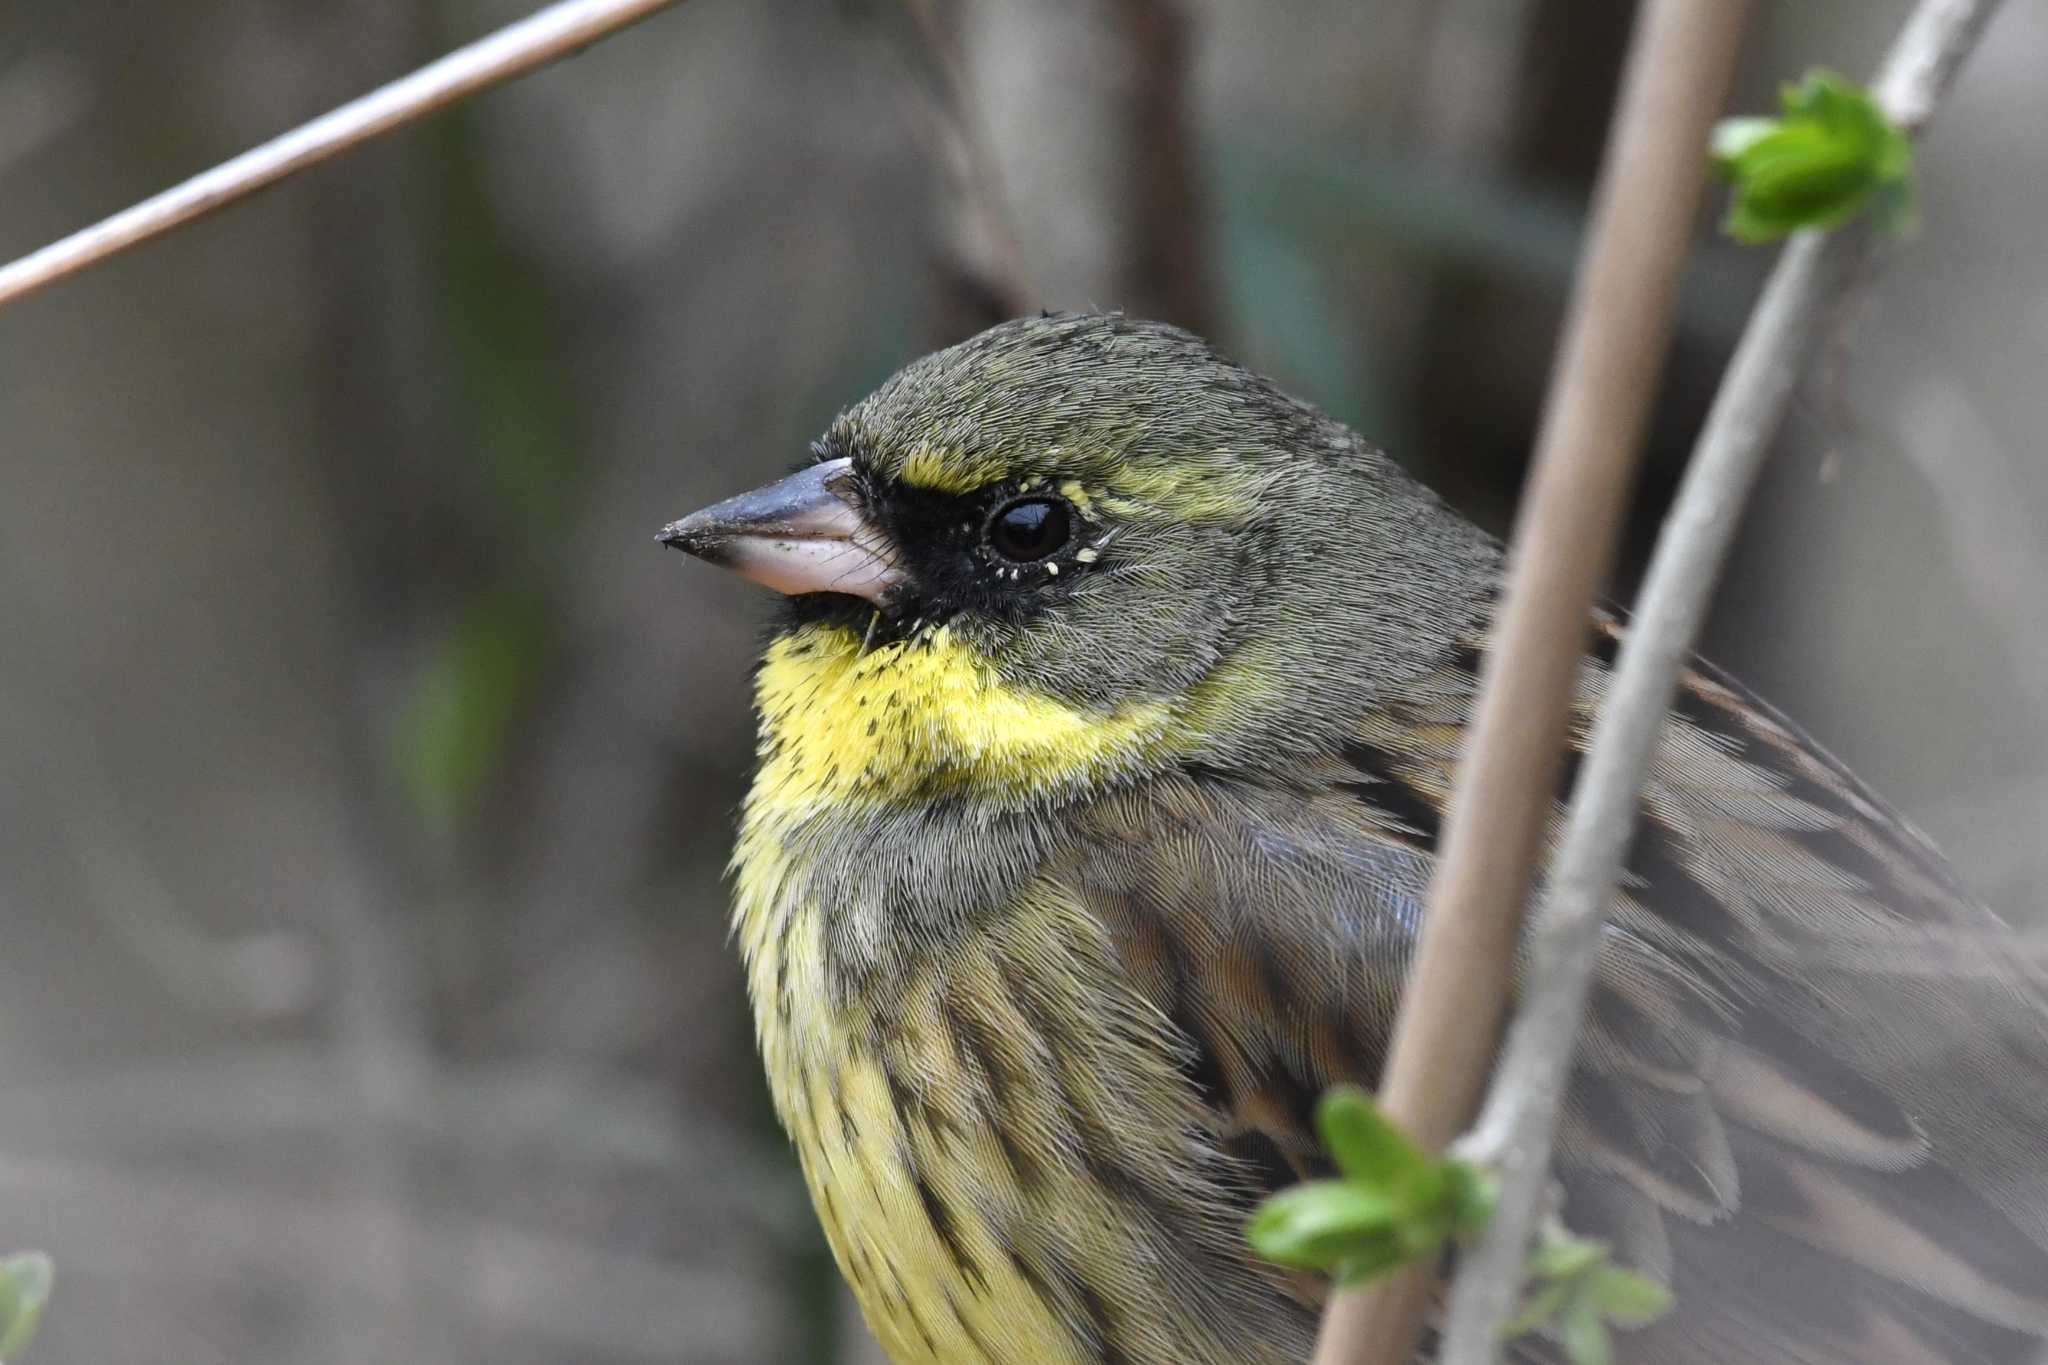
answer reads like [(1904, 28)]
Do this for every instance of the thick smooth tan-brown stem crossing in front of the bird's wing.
[(1601, 396)]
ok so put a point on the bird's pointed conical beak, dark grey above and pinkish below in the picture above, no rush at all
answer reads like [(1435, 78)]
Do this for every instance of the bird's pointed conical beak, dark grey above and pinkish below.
[(800, 535)]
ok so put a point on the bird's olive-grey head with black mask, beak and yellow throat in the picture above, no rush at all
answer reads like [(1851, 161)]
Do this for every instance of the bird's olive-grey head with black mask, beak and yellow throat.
[(1074, 545)]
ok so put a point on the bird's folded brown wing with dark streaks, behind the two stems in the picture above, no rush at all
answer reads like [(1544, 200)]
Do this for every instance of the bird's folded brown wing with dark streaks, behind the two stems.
[(1814, 1086)]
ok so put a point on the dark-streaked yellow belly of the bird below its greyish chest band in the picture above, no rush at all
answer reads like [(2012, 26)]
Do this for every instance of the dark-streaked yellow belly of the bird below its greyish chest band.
[(1000, 1153)]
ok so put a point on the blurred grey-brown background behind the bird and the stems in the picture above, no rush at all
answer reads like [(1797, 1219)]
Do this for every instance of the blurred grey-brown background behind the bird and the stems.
[(366, 768)]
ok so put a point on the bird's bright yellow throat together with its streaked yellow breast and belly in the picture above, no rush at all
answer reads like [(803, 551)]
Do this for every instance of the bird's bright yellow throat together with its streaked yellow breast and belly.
[(957, 1127)]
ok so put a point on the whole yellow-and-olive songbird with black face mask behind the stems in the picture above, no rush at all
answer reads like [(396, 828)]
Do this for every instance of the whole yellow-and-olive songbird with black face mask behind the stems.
[(1105, 750)]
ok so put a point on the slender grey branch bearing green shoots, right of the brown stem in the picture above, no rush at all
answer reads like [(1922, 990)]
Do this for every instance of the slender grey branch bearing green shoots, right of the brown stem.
[(1517, 1125)]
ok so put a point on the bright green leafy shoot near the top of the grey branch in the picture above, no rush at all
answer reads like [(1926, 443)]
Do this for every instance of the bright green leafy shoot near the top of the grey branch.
[(1826, 161)]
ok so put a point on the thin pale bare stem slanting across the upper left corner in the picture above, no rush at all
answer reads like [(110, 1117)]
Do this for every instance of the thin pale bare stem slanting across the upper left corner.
[(558, 32)]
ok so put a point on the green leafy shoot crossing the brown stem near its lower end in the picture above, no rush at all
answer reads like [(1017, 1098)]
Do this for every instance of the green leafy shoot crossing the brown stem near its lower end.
[(1392, 1202)]
